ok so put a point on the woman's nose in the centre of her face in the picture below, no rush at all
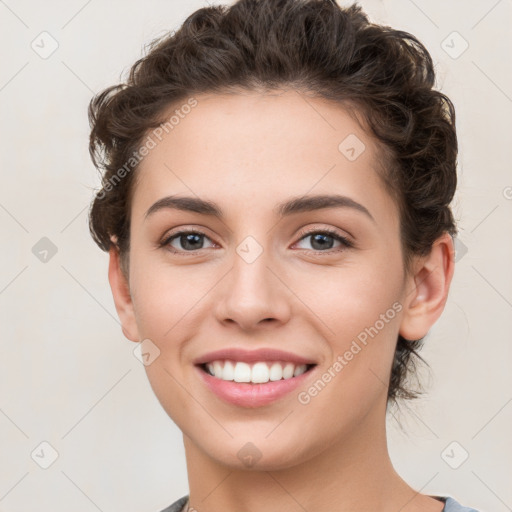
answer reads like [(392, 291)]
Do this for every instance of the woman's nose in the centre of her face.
[(253, 294)]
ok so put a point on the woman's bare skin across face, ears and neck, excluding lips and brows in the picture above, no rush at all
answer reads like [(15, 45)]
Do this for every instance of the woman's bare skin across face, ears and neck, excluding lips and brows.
[(248, 152)]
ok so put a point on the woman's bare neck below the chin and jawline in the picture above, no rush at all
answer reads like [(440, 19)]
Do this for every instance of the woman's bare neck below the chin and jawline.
[(355, 473)]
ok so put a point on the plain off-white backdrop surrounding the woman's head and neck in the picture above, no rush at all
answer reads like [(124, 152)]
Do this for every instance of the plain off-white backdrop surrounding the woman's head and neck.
[(69, 377)]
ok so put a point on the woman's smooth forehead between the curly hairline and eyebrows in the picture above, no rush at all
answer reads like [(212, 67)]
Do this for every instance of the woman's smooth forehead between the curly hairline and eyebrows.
[(253, 149)]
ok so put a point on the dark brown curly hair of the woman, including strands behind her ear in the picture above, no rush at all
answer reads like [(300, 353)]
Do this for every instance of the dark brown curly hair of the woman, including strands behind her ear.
[(313, 46)]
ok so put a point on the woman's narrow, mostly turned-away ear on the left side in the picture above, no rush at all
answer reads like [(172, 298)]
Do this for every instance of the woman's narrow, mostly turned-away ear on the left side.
[(122, 298)]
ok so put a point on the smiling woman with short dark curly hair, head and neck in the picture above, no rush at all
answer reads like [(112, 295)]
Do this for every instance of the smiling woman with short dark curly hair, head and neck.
[(276, 207)]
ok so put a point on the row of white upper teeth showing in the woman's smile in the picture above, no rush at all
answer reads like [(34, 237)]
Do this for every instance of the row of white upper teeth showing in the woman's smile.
[(257, 373)]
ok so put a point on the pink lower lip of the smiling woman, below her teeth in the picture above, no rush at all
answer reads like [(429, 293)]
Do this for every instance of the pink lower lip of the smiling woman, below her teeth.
[(252, 395)]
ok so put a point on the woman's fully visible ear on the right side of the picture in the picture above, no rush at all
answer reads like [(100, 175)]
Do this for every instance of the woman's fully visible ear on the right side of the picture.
[(427, 289)]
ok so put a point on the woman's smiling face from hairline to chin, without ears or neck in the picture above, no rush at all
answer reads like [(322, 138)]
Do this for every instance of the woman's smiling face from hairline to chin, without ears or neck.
[(276, 290)]
